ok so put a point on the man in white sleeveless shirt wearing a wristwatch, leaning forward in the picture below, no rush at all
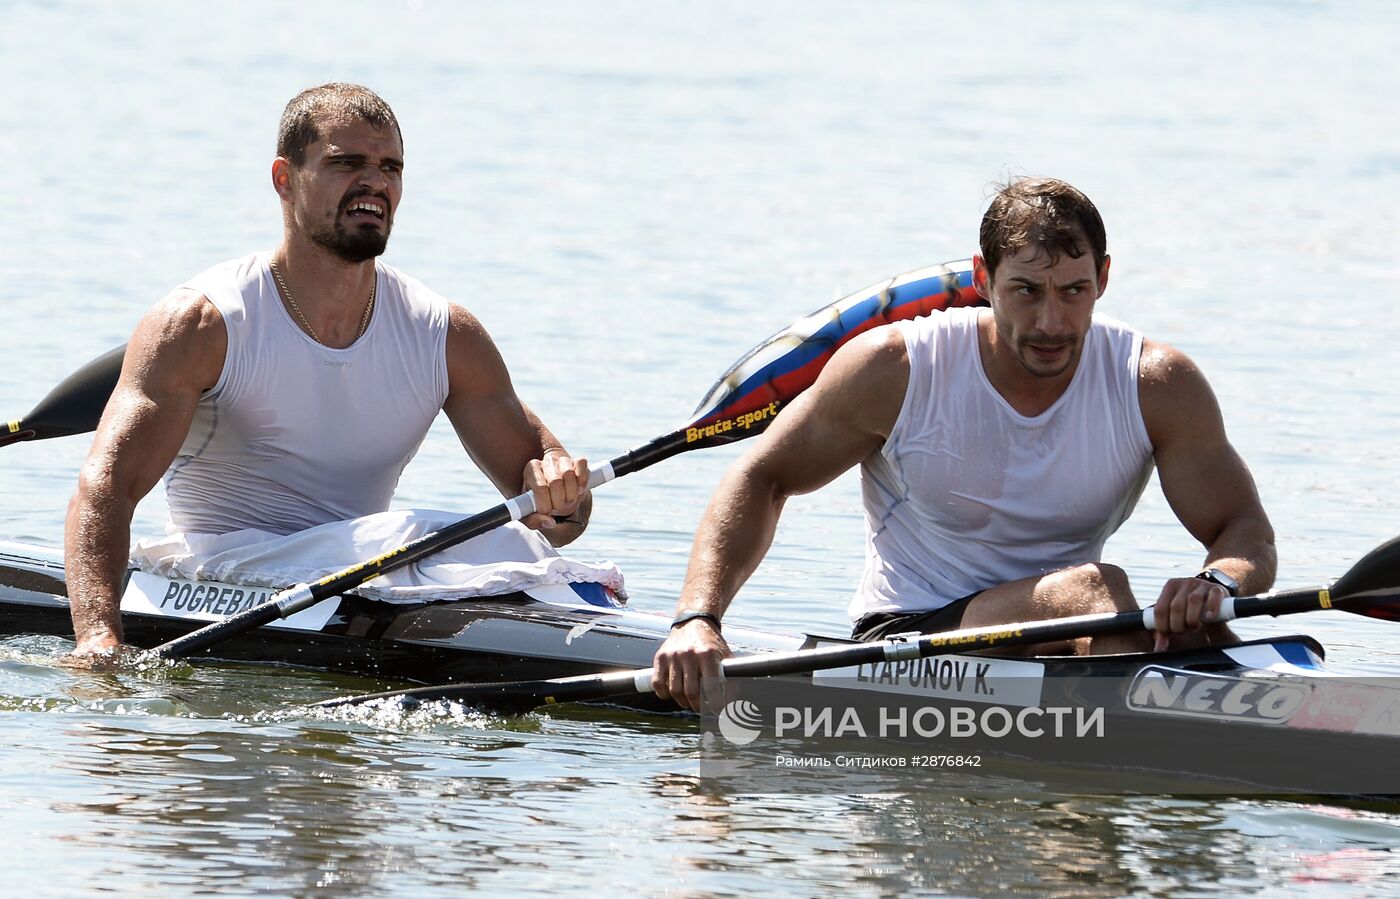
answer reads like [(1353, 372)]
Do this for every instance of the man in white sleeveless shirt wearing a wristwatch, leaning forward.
[(999, 450)]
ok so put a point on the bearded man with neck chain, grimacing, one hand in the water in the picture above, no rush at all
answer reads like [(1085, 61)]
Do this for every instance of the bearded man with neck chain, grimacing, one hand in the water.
[(289, 389)]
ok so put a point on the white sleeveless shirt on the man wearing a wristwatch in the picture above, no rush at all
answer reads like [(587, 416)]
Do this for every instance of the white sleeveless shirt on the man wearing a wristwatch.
[(968, 494)]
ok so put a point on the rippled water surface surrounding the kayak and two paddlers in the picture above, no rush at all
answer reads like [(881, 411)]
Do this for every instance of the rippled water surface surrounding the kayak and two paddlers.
[(629, 197)]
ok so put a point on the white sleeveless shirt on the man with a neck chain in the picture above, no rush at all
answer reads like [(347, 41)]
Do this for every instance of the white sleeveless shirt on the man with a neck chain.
[(296, 435)]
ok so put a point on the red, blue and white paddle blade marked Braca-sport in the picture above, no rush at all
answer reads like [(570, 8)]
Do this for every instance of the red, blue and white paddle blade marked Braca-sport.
[(747, 398)]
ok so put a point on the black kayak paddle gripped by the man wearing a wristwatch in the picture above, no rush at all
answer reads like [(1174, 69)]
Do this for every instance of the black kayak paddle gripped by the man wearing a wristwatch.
[(1371, 587)]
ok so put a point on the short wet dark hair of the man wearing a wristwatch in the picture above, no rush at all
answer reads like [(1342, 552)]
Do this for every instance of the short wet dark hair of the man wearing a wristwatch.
[(1045, 214)]
